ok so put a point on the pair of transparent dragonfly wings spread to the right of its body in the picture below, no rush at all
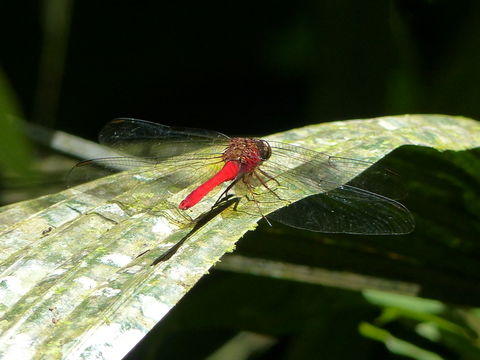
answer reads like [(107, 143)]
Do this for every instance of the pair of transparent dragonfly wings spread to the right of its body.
[(313, 187)]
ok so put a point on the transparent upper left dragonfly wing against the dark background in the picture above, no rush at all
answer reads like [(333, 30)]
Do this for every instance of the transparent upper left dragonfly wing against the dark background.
[(147, 139)]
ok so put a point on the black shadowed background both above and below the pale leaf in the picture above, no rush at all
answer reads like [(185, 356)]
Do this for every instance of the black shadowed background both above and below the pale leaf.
[(255, 68)]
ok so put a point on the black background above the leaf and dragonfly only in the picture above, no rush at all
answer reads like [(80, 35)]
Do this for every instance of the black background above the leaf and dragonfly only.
[(240, 68)]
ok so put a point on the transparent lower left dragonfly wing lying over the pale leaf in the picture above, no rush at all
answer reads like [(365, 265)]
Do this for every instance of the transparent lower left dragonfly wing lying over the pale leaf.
[(144, 185)]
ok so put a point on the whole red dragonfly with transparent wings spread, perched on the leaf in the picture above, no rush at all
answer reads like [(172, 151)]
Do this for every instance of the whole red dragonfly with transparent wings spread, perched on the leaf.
[(318, 192)]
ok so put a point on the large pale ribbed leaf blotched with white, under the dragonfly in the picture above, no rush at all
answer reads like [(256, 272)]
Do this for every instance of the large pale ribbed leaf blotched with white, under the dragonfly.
[(76, 267)]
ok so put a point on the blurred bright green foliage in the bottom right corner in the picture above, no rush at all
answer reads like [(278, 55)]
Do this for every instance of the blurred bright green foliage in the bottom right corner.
[(430, 329)]
